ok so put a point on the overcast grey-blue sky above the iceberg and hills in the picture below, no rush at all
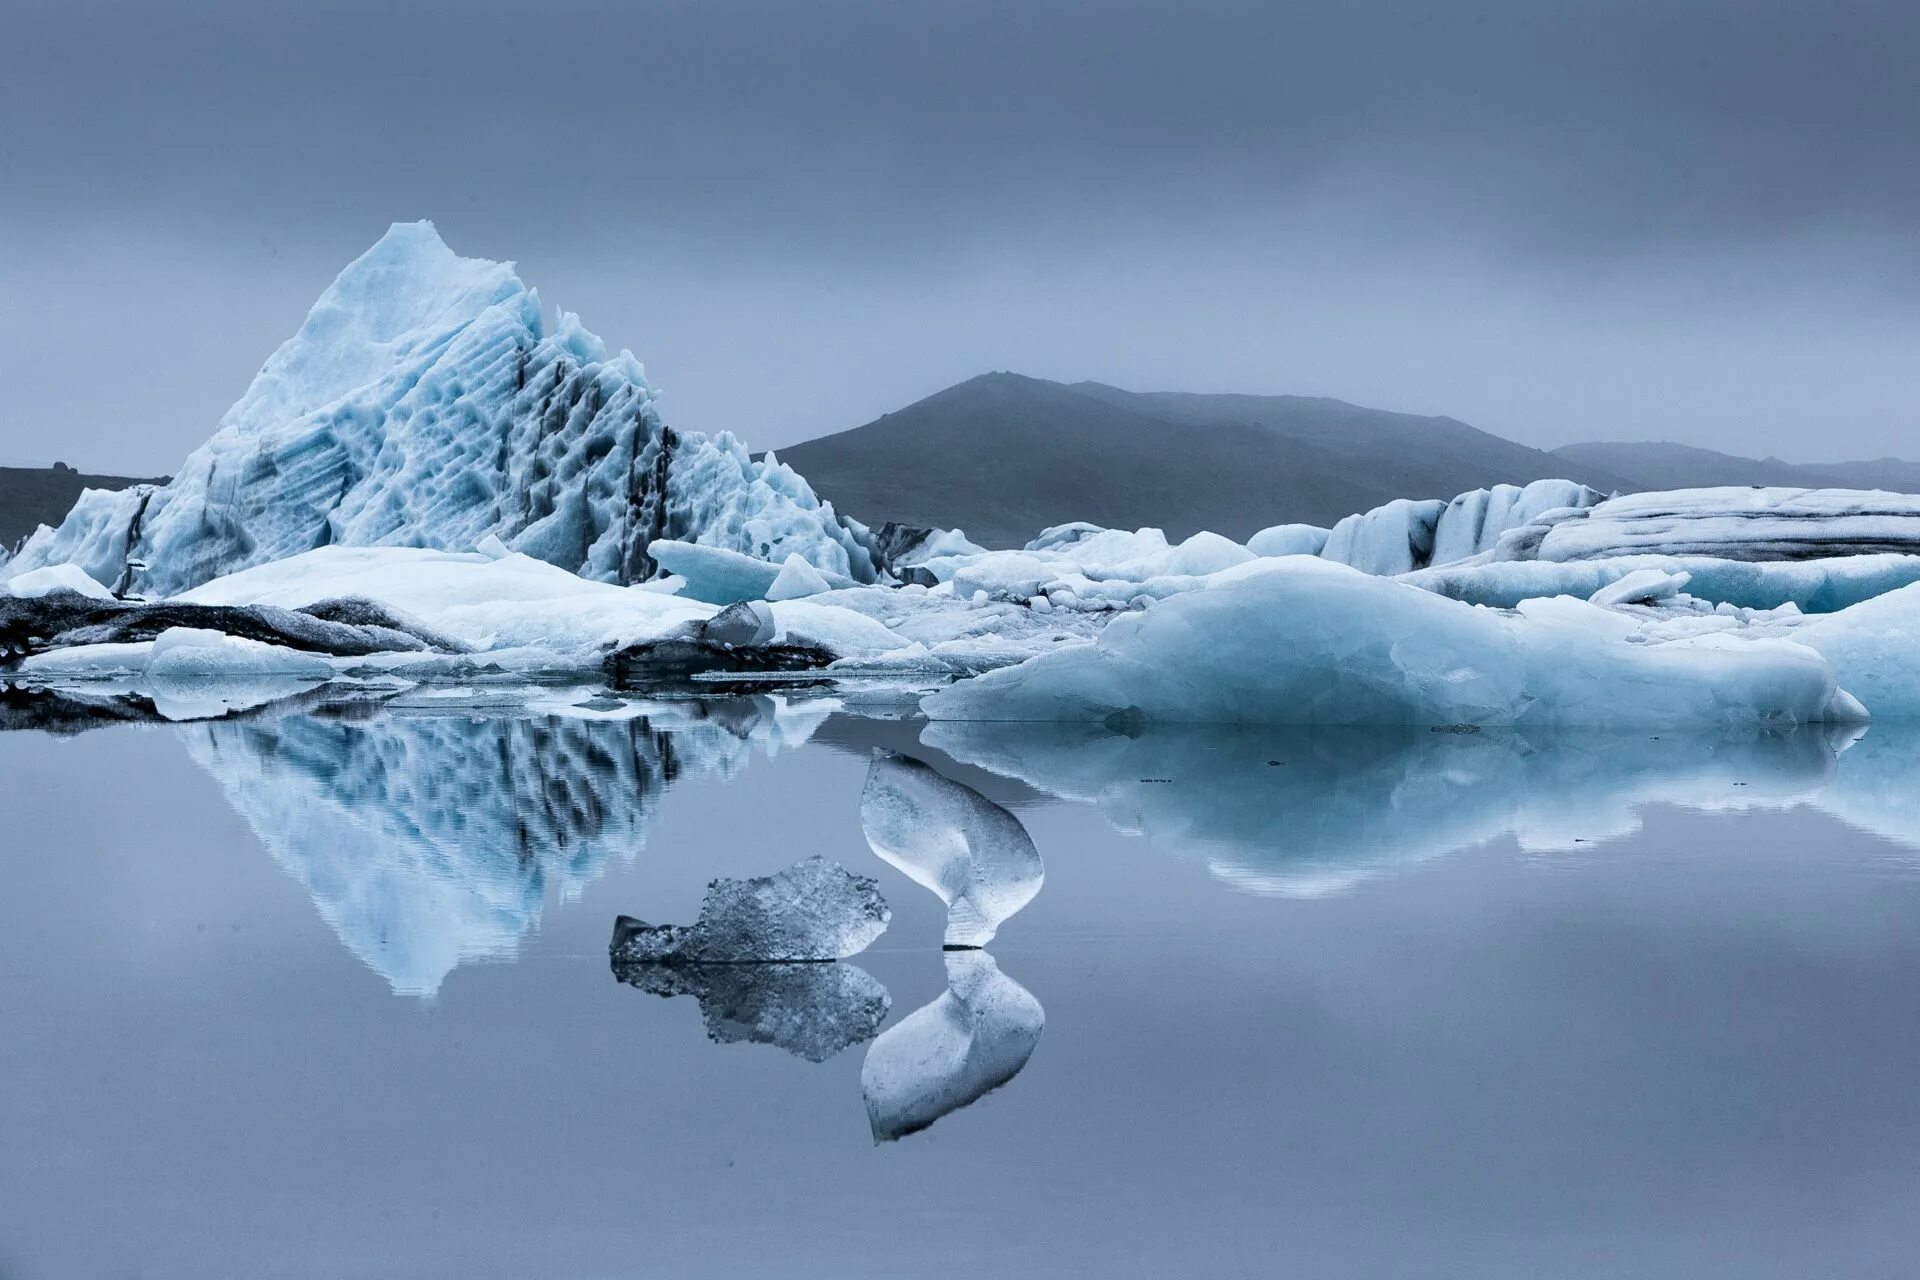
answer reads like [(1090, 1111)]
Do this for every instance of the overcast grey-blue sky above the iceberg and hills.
[(1554, 220)]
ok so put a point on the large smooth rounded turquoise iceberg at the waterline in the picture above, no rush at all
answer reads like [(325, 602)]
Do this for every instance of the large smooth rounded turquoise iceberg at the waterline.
[(1307, 642)]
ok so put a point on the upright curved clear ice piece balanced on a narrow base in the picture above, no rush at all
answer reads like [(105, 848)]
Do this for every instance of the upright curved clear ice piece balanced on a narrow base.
[(955, 841)]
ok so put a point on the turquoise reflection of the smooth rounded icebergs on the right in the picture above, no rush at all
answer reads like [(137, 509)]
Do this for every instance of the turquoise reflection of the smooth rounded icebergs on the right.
[(1310, 813)]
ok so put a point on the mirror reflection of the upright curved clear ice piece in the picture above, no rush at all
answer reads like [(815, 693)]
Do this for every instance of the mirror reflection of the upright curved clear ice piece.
[(953, 1053)]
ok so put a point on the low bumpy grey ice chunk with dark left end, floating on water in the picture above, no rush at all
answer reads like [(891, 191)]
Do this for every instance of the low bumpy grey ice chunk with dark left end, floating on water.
[(813, 911)]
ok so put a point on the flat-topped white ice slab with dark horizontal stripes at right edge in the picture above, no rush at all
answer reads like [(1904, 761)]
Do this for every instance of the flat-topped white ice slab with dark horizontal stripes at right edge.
[(1735, 525)]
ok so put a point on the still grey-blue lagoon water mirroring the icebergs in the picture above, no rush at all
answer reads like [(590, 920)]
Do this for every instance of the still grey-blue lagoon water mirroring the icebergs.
[(327, 993)]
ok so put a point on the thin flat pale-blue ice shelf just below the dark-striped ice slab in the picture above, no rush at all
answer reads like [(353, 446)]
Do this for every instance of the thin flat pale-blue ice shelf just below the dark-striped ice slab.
[(1812, 586)]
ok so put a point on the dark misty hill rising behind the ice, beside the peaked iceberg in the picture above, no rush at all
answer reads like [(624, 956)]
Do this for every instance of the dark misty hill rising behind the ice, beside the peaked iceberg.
[(1003, 458)]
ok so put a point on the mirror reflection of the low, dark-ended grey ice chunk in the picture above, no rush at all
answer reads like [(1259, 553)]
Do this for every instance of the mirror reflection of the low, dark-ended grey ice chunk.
[(811, 1010)]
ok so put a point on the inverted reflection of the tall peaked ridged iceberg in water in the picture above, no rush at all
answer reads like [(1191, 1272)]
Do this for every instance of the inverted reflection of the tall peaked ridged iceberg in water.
[(431, 840)]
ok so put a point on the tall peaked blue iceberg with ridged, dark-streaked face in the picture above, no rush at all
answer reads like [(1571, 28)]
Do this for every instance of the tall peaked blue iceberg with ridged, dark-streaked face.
[(425, 402)]
